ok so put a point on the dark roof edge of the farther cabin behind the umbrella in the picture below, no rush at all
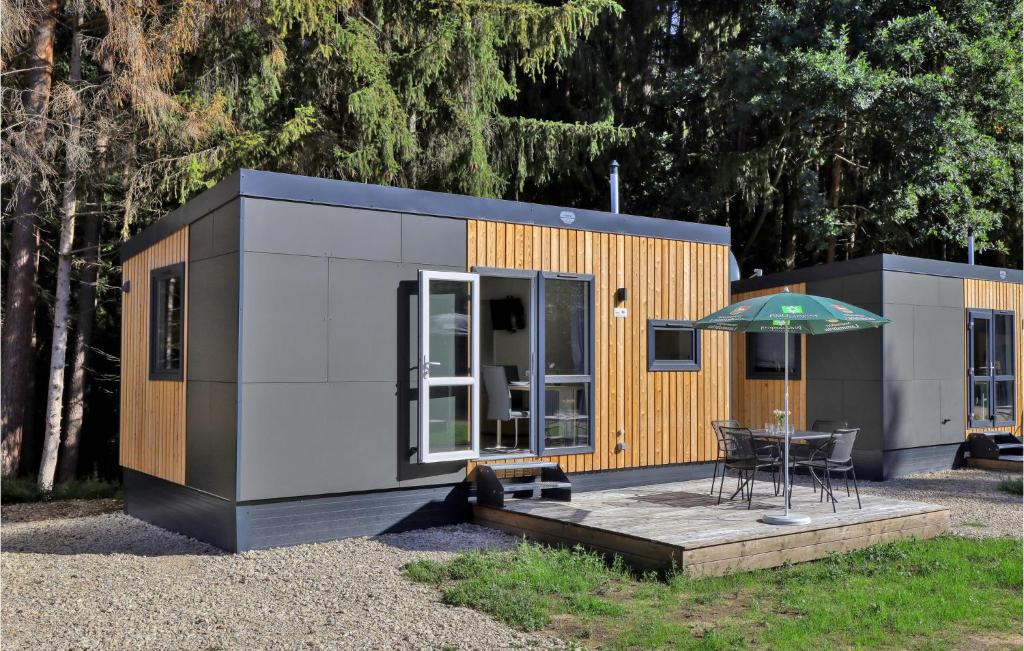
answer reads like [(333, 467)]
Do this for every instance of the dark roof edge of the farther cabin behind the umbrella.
[(883, 263)]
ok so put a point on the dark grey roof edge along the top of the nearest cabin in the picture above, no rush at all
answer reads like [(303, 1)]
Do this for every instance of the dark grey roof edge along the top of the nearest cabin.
[(308, 190)]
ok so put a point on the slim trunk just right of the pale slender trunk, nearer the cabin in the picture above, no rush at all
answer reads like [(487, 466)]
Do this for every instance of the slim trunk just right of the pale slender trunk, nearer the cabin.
[(86, 320)]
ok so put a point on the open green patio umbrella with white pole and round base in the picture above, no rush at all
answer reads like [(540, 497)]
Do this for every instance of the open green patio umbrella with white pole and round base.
[(790, 314)]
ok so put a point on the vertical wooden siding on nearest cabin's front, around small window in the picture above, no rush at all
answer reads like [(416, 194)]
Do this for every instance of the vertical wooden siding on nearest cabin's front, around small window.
[(666, 416)]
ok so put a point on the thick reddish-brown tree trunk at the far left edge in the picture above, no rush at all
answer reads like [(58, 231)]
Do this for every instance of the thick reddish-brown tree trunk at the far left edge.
[(17, 352)]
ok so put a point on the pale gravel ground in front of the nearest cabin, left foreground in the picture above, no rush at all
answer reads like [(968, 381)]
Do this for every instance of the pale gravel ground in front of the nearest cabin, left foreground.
[(112, 582)]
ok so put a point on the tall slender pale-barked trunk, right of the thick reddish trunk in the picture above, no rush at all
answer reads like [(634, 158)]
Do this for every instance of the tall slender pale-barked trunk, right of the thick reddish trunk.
[(59, 351)]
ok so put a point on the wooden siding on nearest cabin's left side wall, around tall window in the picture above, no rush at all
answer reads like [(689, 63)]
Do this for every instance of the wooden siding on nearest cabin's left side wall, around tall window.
[(153, 412)]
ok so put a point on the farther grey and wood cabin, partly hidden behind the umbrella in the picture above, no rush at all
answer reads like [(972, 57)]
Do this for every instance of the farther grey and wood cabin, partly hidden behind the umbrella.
[(948, 366)]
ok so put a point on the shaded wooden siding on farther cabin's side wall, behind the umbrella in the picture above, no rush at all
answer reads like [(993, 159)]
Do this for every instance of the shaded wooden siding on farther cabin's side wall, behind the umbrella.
[(754, 401)]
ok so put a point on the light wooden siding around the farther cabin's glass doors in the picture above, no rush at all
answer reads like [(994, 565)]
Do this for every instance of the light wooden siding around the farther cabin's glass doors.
[(997, 296)]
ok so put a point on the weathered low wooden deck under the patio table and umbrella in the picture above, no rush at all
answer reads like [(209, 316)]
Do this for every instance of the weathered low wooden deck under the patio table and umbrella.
[(661, 526)]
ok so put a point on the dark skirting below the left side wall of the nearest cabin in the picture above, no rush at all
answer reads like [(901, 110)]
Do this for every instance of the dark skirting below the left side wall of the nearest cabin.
[(181, 509)]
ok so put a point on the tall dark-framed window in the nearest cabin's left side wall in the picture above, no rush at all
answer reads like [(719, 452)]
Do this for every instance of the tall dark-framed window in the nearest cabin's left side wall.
[(166, 322)]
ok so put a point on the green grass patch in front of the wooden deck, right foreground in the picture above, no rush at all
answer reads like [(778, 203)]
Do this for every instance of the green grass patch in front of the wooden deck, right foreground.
[(914, 594)]
